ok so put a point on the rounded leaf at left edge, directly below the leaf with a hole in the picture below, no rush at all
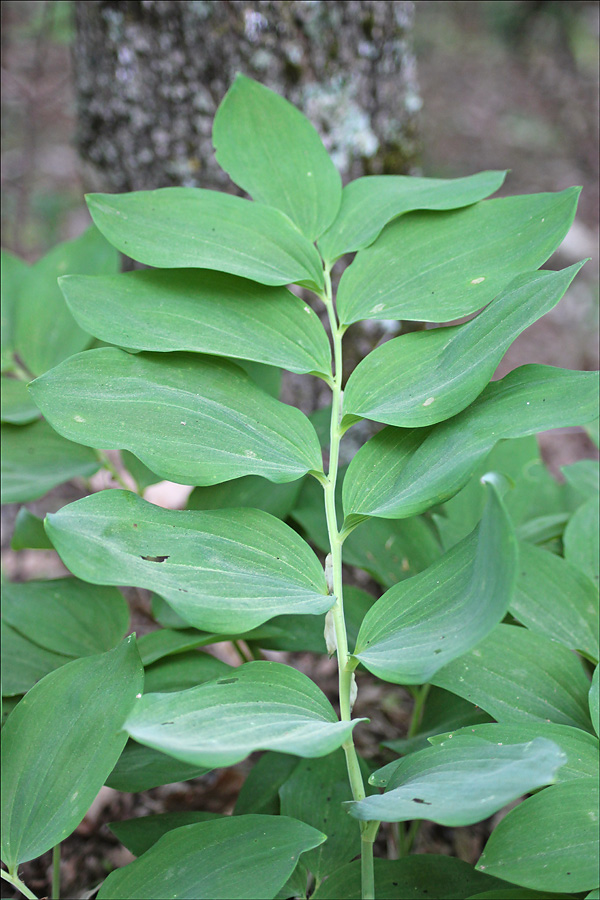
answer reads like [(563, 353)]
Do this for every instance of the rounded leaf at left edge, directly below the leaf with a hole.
[(66, 615)]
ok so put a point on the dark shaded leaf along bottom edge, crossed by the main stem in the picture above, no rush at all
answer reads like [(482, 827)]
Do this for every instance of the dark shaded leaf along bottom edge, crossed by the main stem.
[(426, 875)]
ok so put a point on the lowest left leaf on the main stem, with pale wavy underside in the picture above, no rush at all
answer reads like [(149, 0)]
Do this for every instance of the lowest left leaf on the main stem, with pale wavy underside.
[(262, 706)]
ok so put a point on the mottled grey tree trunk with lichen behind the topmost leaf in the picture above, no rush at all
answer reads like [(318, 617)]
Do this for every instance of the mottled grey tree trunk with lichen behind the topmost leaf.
[(149, 76)]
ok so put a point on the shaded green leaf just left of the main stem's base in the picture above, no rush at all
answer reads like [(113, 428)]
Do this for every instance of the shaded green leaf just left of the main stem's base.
[(314, 793)]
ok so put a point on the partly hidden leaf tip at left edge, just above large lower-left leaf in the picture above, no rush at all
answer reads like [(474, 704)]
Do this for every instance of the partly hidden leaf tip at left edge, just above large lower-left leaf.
[(24, 663)]
